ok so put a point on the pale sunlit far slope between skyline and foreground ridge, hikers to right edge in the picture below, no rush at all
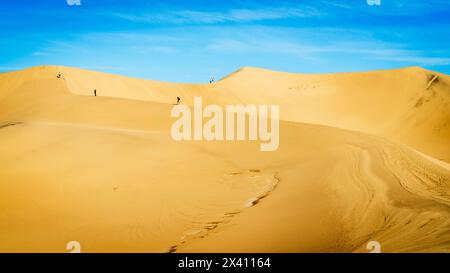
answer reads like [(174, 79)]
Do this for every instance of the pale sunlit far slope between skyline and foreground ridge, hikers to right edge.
[(410, 105)]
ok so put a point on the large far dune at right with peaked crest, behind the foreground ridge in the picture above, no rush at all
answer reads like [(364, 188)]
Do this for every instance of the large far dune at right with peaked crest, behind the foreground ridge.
[(410, 105)]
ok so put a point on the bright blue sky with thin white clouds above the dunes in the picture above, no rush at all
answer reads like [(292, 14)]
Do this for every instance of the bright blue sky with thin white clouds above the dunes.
[(192, 41)]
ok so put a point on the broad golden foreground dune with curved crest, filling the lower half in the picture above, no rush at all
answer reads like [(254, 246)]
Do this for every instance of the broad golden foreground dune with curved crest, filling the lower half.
[(334, 193)]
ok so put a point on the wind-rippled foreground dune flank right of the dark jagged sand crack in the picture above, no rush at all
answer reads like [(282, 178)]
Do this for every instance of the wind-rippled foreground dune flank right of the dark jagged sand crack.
[(373, 191)]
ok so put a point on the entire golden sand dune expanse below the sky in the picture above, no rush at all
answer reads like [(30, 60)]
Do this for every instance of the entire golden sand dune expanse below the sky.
[(362, 157)]
